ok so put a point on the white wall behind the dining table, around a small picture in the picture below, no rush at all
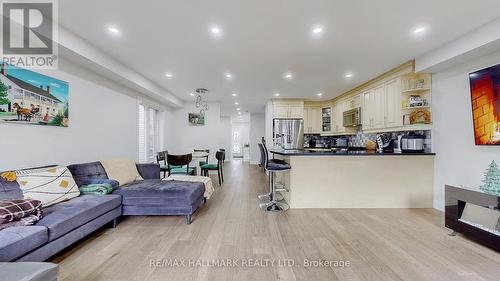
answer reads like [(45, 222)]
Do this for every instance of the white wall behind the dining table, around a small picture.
[(181, 138)]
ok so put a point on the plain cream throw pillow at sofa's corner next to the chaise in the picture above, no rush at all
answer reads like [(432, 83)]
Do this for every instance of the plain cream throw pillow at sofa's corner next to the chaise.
[(122, 170)]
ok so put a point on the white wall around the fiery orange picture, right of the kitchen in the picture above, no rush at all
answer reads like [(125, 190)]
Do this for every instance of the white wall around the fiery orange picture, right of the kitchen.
[(458, 160)]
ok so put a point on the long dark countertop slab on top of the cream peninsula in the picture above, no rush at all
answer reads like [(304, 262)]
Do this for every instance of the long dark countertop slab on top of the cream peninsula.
[(305, 152)]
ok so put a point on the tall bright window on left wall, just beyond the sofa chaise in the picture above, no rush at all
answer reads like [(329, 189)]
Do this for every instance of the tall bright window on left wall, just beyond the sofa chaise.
[(147, 132)]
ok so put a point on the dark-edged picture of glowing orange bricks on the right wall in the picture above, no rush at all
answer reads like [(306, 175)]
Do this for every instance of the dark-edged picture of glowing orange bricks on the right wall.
[(485, 94)]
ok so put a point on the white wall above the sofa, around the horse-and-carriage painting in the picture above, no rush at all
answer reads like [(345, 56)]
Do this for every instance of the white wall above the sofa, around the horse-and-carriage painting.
[(102, 124)]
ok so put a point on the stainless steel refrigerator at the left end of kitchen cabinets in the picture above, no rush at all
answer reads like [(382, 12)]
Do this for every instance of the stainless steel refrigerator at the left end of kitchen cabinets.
[(288, 133)]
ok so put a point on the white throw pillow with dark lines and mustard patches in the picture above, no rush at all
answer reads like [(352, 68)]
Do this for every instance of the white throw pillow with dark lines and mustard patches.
[(49, 185)]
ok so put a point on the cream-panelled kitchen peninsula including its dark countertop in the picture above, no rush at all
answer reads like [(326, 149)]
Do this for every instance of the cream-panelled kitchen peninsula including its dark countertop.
[(357, 179)]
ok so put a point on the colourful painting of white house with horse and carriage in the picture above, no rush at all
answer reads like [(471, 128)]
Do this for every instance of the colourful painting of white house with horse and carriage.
[(28, 97)]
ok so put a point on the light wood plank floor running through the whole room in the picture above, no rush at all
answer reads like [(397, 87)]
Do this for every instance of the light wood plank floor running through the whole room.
[(379, 244)]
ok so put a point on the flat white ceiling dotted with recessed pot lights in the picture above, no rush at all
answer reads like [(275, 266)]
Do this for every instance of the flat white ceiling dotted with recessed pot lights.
[(263, 39)]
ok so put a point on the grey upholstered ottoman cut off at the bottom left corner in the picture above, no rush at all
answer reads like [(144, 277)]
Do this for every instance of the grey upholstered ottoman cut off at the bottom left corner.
[(28, 271)]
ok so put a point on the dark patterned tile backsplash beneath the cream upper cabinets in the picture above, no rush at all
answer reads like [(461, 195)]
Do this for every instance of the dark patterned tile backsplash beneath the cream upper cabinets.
[(359, 140)]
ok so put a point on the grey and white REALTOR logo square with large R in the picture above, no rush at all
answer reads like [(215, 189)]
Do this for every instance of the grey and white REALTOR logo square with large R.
[(29, 30)]
